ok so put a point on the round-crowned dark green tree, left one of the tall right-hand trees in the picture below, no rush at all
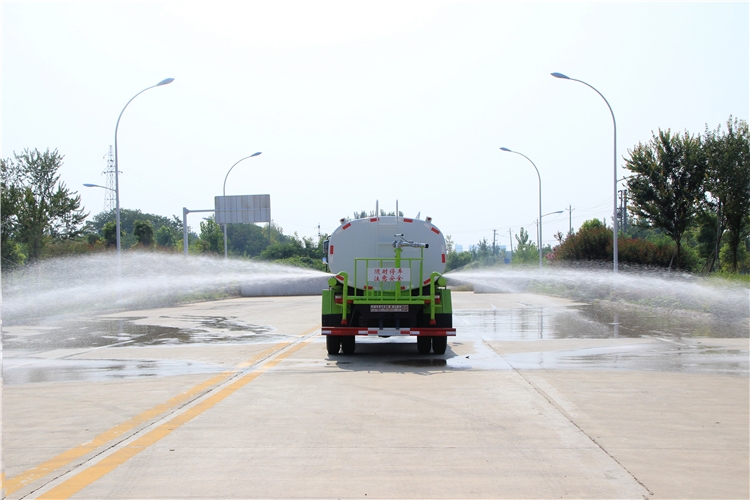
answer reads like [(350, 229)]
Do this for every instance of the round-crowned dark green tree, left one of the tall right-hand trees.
[(668, 183)]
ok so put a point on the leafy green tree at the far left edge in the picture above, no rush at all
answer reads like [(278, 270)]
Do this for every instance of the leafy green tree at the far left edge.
[(40, 207)]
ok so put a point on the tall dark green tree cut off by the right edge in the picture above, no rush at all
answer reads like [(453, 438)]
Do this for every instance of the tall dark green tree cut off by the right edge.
[(728, 183)]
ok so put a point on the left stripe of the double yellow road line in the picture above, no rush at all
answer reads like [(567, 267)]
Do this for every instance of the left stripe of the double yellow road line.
[(15, 483)]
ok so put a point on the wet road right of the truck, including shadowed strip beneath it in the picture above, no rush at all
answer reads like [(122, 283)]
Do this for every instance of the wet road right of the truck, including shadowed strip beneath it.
[(580, 337)]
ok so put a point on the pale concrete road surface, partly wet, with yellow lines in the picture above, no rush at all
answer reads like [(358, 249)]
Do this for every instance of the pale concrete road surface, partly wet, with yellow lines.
[(536, 397)]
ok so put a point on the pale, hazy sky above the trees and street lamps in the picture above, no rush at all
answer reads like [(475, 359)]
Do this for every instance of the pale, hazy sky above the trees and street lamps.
[(358, 103)]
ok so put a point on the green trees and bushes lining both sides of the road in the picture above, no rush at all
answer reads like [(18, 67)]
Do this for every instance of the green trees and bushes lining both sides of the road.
[(688, 210)]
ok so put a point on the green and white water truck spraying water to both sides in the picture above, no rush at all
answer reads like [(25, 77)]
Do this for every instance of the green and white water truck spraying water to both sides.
[(387, 281)]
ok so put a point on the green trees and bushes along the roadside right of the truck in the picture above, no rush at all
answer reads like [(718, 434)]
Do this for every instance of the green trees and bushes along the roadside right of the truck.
[(689, 209)]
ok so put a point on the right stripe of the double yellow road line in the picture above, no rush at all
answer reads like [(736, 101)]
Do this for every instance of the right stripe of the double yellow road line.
[(108, 464)]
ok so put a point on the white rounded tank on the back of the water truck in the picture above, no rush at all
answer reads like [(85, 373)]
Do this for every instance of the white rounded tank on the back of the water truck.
[(373, 239)]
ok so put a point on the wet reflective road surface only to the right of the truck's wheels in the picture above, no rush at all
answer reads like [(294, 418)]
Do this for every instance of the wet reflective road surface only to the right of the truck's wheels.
[(592, 337)]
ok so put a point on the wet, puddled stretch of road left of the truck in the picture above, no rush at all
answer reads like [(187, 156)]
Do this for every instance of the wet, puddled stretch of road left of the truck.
[(25, 361)]
